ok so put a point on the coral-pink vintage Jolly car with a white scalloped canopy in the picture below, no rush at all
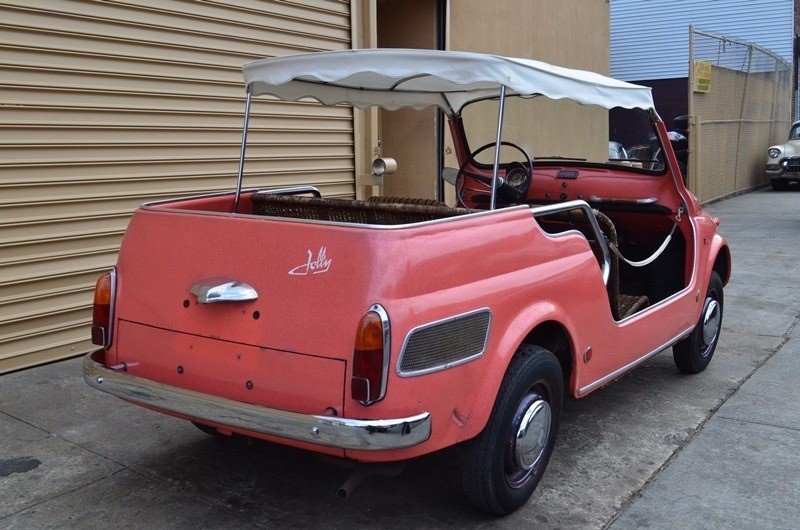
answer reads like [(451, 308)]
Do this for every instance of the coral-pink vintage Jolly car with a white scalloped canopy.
[(383, 329)]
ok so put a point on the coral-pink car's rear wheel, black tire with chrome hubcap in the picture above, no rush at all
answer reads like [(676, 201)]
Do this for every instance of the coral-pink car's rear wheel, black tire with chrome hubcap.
[(493, 480)]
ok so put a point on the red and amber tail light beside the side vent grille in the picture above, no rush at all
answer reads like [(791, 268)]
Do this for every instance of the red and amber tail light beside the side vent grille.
[(371, 357)]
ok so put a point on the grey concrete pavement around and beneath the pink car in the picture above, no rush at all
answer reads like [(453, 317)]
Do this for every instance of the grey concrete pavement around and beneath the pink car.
[(656, 448)]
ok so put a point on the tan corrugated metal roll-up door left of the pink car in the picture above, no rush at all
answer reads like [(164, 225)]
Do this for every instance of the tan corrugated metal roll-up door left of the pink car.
[(105, 105)]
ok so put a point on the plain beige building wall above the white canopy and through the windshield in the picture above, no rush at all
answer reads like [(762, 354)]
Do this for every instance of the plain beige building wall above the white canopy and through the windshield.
[(569, 33)]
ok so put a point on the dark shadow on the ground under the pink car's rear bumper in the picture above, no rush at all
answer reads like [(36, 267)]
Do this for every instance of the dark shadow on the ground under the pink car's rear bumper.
[(268, 484)]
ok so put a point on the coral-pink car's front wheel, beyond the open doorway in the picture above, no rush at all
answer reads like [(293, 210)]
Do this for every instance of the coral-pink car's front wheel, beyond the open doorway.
[(694, 353)]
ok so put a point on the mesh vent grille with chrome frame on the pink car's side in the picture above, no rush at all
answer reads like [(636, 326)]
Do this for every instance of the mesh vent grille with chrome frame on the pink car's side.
[(446, 343)]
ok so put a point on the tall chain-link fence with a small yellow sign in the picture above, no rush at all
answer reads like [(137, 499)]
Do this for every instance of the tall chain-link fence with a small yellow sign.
[(739, 105)]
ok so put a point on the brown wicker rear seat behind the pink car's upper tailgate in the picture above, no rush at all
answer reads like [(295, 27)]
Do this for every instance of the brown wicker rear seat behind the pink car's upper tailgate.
[(376, 212)]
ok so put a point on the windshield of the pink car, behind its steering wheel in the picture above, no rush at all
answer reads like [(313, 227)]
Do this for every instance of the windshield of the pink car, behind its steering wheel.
[(564, 129)]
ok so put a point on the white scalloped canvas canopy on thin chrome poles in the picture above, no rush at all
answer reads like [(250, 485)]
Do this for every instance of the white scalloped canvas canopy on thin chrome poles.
[(392, 79)]
